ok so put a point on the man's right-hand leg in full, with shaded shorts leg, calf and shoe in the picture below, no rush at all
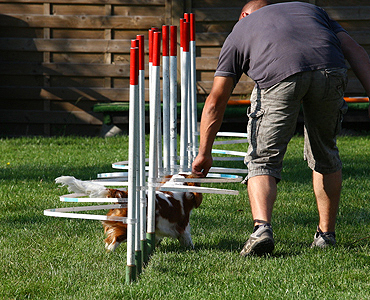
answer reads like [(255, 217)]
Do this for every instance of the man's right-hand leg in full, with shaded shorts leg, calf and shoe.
[(323, 109)]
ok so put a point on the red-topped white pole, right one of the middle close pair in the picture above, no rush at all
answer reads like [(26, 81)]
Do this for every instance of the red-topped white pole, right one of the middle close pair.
[(173, 99)]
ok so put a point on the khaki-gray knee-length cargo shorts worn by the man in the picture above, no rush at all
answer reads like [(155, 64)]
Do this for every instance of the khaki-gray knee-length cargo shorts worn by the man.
[(273, 117)]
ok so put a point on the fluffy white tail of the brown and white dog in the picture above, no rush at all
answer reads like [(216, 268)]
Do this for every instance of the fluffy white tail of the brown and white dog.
[(91, 189)]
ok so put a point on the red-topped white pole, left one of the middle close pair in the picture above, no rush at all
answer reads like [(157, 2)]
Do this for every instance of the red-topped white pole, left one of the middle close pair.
[(166, 98)]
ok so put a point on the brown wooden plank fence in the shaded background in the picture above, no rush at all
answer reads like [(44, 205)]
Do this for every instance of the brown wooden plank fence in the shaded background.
[(60, 57)]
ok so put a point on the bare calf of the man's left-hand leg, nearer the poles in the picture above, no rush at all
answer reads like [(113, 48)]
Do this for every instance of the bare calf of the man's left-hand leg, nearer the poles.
[(262, 194)]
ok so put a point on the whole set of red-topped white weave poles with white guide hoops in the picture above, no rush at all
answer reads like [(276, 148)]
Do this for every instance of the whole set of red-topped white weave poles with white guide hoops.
[(162, 158)]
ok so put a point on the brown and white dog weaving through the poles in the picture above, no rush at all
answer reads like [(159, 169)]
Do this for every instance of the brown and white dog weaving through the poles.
[(172, 209)]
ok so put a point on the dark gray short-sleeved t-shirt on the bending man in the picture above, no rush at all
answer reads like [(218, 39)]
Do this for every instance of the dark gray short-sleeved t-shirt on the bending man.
[(280, 40)]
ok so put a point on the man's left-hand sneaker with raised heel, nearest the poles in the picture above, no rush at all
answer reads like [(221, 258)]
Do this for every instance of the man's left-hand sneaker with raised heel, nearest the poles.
[(260, 242)]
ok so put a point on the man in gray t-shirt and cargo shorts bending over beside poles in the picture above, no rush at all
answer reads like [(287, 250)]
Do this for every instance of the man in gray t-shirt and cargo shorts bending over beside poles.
[(295, 54)]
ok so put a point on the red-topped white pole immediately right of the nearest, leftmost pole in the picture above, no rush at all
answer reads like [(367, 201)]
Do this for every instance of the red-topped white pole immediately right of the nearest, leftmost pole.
[(141, 149)]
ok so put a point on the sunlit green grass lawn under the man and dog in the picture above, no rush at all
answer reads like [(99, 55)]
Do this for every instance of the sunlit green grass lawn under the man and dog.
[(55, 258)]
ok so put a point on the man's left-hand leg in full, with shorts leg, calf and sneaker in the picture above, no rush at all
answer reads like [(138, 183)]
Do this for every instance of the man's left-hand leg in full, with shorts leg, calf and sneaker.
[(272, 120)]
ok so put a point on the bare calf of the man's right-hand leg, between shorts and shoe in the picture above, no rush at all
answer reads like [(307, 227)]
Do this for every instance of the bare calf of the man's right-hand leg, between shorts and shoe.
[(327, 188)]
